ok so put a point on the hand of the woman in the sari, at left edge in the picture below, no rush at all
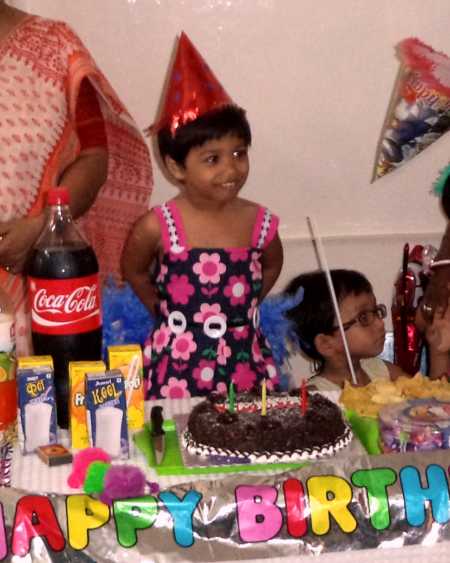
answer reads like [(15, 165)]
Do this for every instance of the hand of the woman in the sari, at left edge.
[(17, 238)]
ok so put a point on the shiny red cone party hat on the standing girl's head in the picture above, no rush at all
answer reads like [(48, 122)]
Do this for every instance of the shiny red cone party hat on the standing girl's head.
[(192, 89)]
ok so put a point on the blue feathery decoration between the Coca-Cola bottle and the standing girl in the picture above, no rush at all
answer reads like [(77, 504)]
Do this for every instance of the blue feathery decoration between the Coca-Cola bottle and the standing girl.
[(125, 318)]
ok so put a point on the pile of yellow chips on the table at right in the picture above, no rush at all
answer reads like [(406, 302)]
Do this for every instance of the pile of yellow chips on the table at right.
[(368, 400)]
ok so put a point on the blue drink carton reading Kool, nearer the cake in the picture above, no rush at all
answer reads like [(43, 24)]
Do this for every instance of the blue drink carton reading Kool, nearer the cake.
[(107, 412)]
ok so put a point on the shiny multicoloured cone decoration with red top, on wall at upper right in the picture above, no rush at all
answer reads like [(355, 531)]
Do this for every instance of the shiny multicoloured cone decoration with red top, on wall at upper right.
[(419, 112)]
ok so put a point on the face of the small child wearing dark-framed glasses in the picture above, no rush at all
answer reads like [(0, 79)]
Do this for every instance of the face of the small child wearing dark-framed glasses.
[(363, 341)]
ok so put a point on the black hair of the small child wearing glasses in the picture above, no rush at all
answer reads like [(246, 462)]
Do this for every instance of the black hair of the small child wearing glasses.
[(315, 314)]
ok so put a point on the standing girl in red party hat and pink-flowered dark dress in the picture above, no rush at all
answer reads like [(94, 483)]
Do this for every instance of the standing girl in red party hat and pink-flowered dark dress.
[(215, 255)]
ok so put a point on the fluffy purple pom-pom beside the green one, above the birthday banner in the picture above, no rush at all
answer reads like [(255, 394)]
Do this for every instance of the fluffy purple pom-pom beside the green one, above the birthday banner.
[(123, 481)]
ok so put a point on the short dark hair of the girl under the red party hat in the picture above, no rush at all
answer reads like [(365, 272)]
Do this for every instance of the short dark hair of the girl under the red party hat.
[(229, 120)]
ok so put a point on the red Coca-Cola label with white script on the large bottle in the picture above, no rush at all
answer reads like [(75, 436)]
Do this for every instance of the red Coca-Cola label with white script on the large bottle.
[(66, 306)]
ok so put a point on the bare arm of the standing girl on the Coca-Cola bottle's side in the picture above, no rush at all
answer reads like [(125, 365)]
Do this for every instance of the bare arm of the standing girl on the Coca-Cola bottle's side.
[(139, 252)]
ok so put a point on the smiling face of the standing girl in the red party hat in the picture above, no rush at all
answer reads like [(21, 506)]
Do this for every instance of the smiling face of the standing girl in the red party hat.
[(215, 171)]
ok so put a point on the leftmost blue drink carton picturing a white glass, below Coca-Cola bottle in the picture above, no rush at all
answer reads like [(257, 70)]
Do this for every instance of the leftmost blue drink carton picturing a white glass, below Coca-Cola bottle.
[(37, 408)]
